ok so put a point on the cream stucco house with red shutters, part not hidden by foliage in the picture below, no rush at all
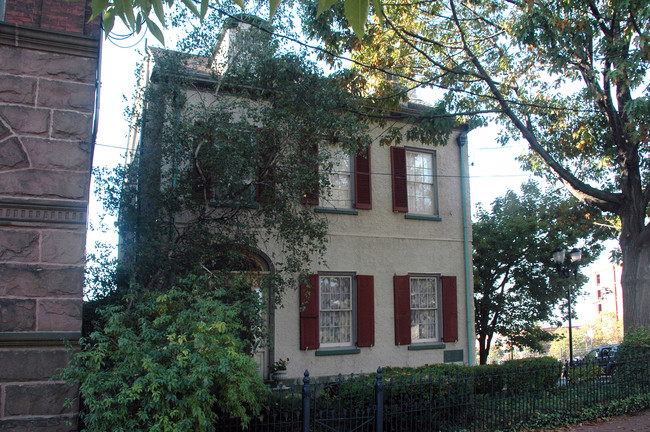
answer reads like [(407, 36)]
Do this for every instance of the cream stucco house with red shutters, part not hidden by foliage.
[(396, 289)]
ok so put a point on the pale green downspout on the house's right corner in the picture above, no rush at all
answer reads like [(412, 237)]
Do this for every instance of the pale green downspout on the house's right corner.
[(467, 249)]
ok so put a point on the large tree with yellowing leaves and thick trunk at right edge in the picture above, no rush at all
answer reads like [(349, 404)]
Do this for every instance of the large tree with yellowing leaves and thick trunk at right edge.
[(568, 77)]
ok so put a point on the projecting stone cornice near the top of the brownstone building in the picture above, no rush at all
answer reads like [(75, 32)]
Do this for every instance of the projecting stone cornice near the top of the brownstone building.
[(46, 40)]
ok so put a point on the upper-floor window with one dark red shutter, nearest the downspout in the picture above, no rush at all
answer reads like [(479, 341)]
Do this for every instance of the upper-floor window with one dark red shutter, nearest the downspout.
[(414, 181)]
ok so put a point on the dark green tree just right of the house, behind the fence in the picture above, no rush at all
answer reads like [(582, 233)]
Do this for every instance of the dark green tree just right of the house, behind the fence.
[(514, 285)]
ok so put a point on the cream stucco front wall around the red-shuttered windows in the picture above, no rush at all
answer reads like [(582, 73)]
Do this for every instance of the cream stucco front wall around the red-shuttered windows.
[(384, 243)]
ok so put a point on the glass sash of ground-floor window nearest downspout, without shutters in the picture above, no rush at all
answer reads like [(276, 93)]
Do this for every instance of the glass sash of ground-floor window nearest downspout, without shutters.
[(424, 308)]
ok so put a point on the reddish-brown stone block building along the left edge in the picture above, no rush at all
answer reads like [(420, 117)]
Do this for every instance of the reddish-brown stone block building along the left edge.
[(49, 56)]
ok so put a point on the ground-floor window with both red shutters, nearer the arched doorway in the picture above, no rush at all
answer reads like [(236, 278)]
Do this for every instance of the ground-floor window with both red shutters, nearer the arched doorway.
[(337, 311)]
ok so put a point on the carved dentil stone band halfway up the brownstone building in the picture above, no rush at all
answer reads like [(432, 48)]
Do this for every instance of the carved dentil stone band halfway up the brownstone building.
[(39, 212)]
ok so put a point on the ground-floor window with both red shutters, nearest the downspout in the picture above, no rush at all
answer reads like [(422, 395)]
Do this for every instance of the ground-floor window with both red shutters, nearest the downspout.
[(425, 309)]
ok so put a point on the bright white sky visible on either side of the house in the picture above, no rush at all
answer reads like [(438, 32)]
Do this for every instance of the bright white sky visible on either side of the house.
[(493, 168)]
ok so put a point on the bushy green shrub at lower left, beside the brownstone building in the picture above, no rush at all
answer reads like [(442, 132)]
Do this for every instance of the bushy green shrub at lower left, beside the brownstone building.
[(167, 362)]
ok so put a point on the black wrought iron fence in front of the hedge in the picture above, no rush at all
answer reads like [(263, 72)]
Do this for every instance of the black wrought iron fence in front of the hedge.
[(479, 399)]
